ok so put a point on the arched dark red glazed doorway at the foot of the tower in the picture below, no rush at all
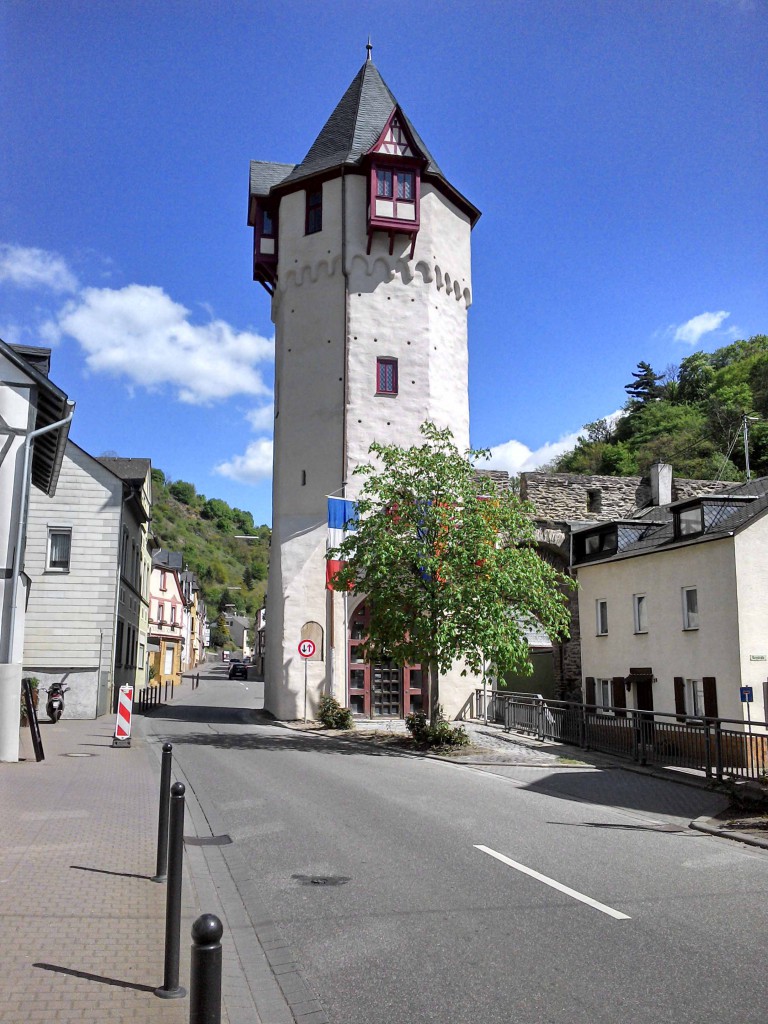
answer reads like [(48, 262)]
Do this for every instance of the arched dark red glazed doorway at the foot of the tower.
[(381, 689)]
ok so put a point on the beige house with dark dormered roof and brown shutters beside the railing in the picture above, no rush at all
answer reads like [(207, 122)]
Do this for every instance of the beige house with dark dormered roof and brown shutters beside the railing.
[(673, 604)]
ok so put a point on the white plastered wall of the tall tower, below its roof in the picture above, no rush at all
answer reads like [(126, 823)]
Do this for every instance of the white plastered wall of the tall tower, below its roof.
[(413, 310)]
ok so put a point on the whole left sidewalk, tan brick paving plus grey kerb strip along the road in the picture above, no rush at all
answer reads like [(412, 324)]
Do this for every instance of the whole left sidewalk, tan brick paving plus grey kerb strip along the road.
[(86, 924)]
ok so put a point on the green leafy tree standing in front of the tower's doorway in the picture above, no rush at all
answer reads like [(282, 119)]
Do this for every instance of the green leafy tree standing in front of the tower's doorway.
[(448, 564)]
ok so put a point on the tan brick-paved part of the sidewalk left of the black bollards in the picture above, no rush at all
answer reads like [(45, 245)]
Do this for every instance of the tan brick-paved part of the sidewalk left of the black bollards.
[(84, 924)]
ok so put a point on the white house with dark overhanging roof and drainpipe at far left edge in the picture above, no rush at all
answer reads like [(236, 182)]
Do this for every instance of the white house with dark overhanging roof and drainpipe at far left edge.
[(35, 418)]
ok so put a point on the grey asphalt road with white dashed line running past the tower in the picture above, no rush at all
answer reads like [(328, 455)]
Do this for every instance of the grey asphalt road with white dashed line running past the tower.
[(417, 891)]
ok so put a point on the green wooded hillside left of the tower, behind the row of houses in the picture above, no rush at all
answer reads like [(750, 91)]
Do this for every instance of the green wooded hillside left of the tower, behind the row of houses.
[(208, 532)]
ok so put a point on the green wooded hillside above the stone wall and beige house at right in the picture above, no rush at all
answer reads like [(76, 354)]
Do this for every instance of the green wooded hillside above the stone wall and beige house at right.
[(692, 416)]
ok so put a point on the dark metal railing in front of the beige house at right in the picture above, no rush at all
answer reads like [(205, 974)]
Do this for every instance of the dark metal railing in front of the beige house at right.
[(718, 747)]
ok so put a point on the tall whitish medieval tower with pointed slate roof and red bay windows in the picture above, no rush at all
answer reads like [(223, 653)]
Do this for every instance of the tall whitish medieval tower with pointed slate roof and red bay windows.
[(365, 249)]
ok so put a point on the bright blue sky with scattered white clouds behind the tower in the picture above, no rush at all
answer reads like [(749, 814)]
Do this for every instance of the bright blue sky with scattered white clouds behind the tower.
[(618, 150)]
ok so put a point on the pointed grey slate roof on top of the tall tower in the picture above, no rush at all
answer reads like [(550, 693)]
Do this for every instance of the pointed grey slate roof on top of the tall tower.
[(348, 137)]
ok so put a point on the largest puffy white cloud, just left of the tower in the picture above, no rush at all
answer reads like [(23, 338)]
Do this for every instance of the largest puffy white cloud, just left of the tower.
[(141, 334)]
